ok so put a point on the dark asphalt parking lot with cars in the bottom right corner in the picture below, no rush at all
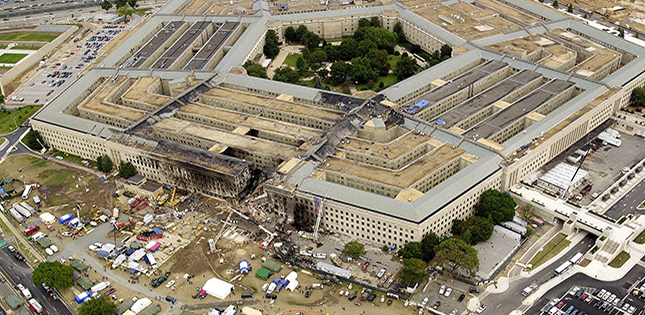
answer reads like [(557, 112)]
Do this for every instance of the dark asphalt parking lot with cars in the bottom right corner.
[(619, 287)]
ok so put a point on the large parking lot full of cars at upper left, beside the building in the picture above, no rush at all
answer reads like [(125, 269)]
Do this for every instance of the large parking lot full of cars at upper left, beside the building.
[(59, 76)]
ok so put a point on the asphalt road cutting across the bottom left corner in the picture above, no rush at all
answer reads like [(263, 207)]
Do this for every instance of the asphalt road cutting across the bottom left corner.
[(19, 272)]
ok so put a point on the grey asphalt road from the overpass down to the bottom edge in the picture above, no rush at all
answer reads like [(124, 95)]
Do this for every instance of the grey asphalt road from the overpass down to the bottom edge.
[(511, 299)]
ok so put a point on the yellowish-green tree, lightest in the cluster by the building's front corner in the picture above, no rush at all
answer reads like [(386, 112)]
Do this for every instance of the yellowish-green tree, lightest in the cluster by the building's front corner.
[(455, 253)]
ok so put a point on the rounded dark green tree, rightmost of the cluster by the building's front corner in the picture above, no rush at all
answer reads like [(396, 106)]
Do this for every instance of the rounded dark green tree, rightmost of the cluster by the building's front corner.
[(496, 206)]
